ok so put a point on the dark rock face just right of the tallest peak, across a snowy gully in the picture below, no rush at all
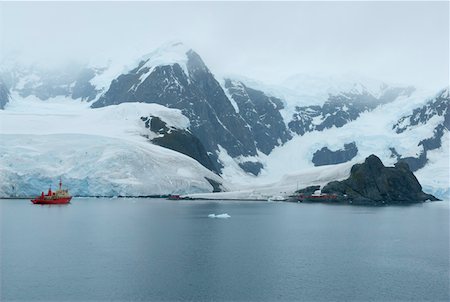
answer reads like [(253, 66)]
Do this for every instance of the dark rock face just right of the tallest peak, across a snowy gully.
[(261, 113)]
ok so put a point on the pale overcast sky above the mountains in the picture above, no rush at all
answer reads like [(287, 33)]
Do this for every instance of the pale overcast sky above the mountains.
[(406, 42)]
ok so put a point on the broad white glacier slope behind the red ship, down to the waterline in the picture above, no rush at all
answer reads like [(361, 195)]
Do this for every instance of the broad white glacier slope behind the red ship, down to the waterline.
[(95, 151)]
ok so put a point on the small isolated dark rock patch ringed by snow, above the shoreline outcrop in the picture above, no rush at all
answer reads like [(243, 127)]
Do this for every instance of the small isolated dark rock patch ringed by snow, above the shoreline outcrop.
[(325, 156)]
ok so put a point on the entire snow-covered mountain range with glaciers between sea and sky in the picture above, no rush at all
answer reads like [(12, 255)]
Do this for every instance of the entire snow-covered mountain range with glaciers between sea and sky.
[(244, 131)]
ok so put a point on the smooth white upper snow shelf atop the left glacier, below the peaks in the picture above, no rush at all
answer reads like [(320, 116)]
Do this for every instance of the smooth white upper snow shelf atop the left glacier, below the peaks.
[(64, 115)]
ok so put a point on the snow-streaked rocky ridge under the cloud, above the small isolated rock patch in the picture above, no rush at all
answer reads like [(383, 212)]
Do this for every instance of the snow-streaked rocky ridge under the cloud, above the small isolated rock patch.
[(340, 109)]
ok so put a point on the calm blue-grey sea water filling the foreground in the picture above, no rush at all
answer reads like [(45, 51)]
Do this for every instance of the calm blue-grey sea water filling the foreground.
[(152, 249)]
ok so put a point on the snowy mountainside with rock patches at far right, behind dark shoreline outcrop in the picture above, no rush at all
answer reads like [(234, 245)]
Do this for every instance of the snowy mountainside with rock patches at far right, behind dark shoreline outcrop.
[(374, 132)]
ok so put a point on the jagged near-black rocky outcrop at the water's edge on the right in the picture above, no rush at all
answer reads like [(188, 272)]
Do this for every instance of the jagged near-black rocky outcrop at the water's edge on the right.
[(373, 183)]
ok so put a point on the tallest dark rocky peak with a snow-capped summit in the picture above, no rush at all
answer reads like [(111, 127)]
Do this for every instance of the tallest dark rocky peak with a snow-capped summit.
[(176, 77)]
